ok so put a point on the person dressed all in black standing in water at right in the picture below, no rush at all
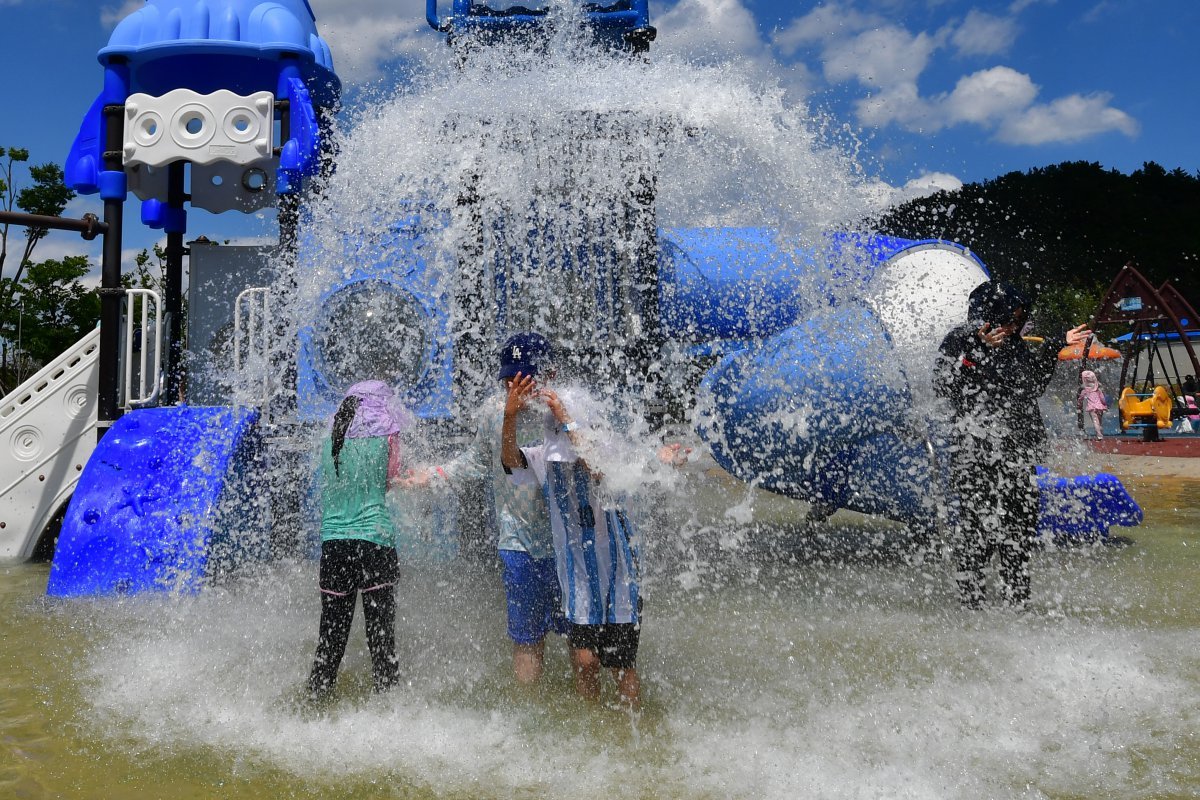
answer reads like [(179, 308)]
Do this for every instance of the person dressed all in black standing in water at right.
[(993, 380)]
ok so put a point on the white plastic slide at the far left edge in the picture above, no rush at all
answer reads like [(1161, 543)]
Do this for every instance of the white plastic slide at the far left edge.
[(47, 435)]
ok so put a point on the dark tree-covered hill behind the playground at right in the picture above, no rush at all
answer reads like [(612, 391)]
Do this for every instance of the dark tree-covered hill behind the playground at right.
[(1065, 232)]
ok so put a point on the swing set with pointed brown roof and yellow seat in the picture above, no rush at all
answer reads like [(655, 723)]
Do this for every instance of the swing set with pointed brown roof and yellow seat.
[(1151, 393)]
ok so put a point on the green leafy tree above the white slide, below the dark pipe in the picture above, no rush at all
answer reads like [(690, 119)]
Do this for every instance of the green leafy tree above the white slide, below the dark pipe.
[(56, 309)]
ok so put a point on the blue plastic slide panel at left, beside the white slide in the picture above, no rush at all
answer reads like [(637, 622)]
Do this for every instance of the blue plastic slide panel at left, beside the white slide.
[(172, 498)]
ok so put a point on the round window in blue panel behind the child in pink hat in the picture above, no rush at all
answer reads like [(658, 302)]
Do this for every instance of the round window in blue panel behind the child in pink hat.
[(371, 330)]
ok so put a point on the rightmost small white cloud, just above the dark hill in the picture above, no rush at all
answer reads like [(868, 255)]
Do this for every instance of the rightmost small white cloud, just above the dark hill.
[(1069, 119)]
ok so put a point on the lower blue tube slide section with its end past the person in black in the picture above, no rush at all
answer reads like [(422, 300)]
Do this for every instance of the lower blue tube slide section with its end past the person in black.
[(815, 414)]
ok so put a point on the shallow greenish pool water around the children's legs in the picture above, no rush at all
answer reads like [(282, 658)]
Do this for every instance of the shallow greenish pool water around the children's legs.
[(778, 663)]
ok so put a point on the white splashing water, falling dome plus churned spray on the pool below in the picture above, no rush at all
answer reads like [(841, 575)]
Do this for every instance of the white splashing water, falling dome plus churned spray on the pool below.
[(775, 675)]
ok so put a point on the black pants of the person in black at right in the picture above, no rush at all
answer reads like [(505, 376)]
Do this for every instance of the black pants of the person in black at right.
[(998, 518)]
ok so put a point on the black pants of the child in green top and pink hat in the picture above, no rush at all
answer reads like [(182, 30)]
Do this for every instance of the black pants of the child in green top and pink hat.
[(349, 568)]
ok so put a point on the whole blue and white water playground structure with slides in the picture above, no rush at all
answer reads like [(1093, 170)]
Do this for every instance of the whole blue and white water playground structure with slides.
[(227, 105)]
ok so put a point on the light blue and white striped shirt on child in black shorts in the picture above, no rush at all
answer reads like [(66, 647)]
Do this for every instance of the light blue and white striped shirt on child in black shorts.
[(596, 549)]
